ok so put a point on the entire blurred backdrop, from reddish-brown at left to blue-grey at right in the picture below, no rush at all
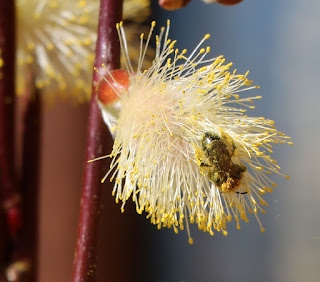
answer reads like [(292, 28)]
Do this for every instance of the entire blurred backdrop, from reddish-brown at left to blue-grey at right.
[(279, 42)]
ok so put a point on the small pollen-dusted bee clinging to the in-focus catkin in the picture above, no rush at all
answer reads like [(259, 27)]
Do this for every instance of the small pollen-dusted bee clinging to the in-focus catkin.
[(215, 161)]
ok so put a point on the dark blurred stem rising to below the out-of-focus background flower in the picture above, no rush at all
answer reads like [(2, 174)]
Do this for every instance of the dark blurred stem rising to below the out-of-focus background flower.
[(26, 243)]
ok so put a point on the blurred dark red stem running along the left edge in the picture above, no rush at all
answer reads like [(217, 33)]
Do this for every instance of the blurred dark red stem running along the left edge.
[(8, 190)]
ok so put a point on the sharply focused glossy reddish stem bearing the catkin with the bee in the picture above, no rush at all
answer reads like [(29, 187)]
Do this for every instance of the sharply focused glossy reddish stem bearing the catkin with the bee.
[(108, 52)]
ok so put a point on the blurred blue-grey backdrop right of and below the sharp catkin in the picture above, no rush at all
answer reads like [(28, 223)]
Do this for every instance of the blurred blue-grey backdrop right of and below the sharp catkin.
[(278, 41)]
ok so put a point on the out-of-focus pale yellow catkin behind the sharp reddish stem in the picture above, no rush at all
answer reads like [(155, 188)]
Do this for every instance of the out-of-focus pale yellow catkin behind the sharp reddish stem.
[(56, 43)]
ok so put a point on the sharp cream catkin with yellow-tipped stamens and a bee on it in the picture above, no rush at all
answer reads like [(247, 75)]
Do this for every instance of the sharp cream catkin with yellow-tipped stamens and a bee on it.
[(184, 149)]
